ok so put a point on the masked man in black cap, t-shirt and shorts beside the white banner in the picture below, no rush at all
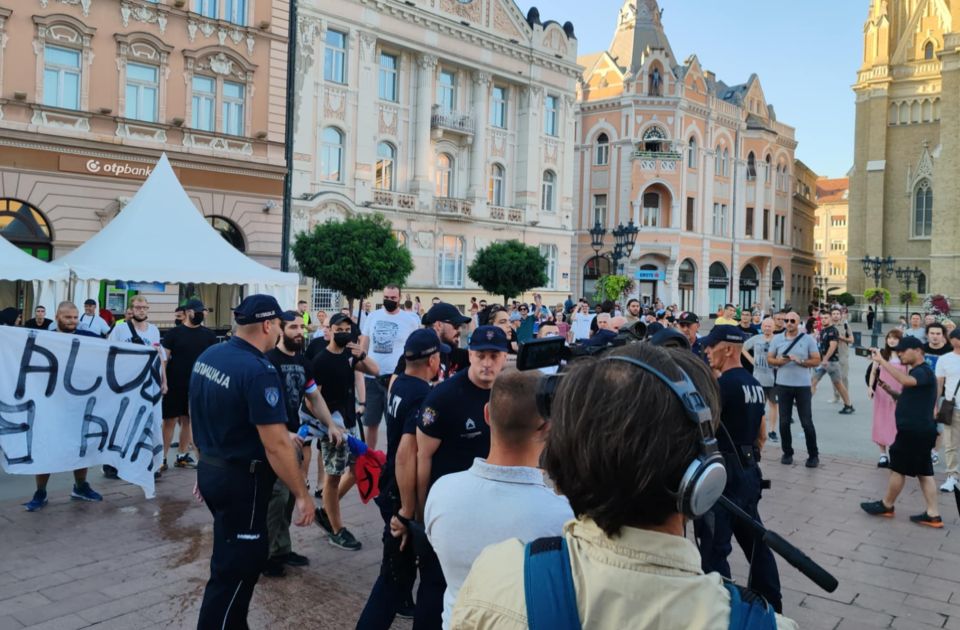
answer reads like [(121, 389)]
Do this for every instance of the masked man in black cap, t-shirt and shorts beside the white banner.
[(183, 345)]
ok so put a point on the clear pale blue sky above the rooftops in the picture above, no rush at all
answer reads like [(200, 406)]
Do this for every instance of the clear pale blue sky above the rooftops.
[(806, 54)]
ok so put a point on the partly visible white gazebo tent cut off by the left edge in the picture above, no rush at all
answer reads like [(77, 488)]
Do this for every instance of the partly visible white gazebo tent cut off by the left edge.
[(17, 265)]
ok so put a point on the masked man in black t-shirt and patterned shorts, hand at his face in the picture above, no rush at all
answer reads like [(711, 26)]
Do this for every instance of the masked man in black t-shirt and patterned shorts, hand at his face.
[(334, 368)]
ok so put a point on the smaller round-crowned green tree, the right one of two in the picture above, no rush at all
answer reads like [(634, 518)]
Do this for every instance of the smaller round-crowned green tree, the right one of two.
[(508, 269)]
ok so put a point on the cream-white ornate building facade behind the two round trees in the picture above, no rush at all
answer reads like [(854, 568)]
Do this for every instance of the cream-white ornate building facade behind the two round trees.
[(452, 118)]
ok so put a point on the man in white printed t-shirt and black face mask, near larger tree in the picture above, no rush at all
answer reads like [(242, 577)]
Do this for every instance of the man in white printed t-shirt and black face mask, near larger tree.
[(385, 332)]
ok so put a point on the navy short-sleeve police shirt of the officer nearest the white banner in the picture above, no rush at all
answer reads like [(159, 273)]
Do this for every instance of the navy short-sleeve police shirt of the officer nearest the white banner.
[(234, 388)]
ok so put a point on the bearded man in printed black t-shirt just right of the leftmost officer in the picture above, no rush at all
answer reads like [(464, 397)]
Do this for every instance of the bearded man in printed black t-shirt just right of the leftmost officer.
[(298, 384)]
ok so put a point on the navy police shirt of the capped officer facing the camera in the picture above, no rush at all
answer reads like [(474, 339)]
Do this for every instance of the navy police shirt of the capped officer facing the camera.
[(453, 413)]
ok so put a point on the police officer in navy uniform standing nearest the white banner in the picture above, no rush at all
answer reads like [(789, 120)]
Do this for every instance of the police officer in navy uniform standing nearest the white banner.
[(239, 419)]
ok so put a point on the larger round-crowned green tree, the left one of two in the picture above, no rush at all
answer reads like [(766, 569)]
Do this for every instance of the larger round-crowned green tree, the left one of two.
[(355, 256)]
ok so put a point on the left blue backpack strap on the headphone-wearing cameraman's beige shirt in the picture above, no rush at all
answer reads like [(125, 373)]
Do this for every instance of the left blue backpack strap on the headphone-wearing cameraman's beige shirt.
[(548, 588)]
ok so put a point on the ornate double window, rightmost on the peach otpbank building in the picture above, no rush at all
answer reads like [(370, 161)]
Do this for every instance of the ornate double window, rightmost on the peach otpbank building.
[(221, 86)]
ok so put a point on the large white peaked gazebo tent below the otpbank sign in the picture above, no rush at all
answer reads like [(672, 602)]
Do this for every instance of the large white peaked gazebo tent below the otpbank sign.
[(160, 236)]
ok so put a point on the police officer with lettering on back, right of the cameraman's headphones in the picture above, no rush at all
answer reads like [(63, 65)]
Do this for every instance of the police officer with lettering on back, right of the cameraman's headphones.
[(740, 439)]
